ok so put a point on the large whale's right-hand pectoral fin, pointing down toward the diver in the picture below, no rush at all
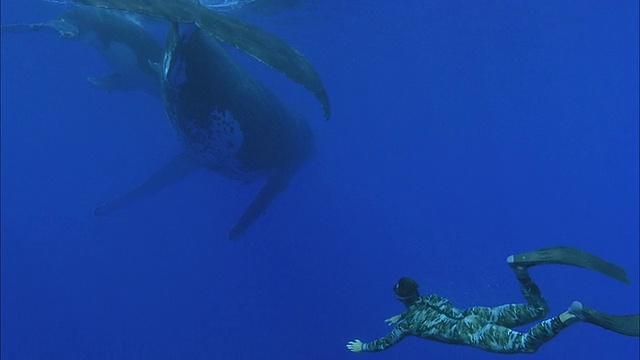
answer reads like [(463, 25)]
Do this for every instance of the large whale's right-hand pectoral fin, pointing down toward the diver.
[(269, 191)]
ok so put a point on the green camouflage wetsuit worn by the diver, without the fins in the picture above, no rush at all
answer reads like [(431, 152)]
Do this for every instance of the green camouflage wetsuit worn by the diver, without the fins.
[(434, 317)]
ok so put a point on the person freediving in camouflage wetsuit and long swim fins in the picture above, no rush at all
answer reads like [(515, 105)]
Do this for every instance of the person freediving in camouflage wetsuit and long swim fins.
[(435, 318)]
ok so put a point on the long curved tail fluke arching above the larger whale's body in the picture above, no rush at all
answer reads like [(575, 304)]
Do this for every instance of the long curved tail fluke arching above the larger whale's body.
[(256, 42)]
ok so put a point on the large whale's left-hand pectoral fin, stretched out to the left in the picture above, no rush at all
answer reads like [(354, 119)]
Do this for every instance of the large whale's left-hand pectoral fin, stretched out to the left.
[(178, 168)]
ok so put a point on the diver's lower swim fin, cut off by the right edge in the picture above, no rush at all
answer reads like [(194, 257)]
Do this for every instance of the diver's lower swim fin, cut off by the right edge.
[(625, 325)]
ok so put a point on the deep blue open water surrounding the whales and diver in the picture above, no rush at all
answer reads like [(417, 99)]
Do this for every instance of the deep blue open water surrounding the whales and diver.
[(462, 132)]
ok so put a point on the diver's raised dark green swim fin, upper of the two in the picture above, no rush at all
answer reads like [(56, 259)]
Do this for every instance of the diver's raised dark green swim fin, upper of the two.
[(569, 256)]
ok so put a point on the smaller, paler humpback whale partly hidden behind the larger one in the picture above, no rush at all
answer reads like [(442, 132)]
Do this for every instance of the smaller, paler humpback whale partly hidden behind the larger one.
[(130, 50)]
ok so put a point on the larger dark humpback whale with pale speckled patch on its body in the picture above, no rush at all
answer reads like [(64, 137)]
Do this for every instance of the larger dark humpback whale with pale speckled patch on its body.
[(227, 120)]
